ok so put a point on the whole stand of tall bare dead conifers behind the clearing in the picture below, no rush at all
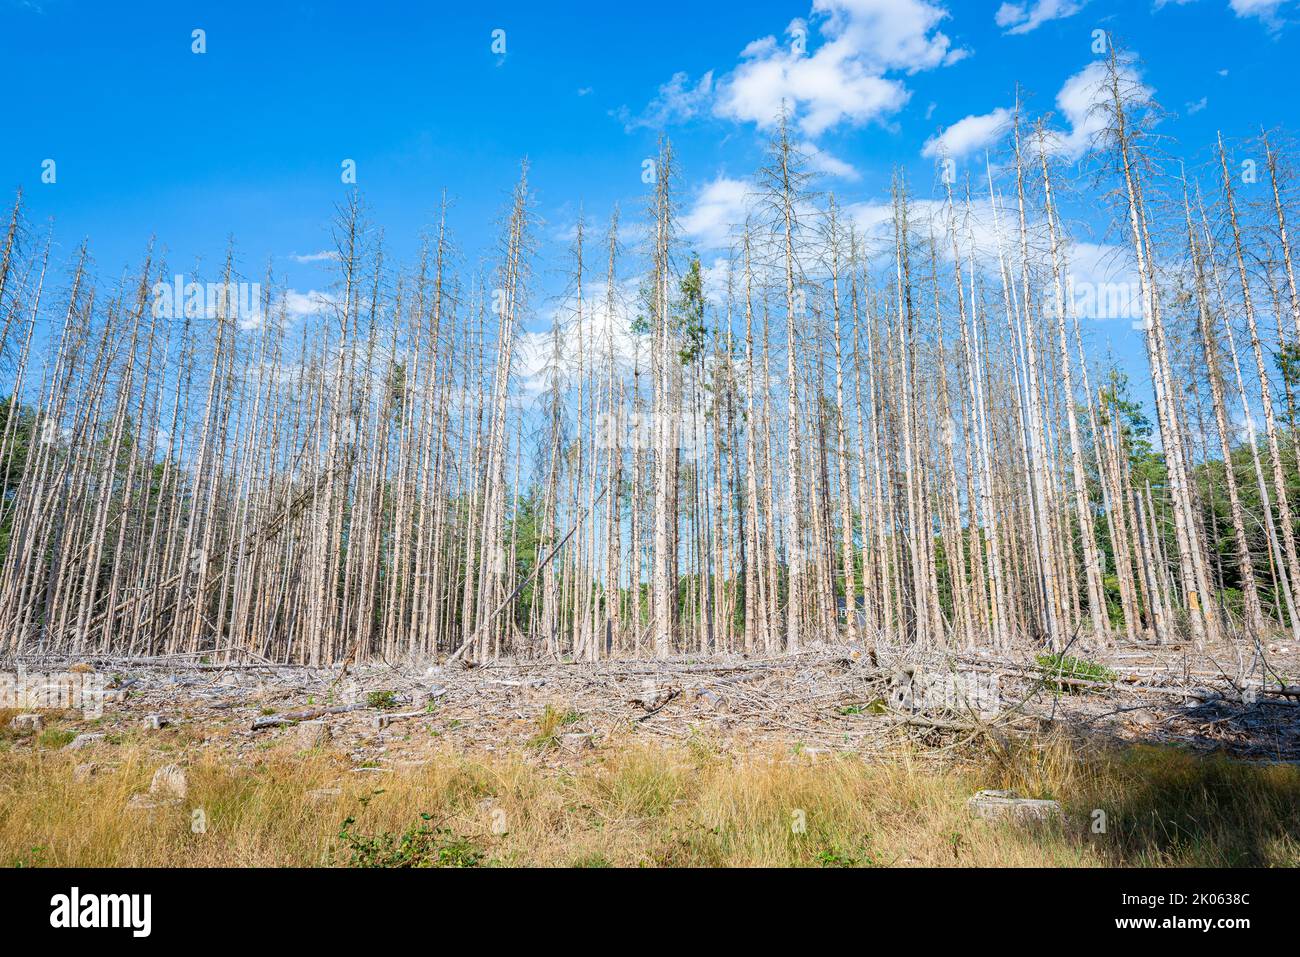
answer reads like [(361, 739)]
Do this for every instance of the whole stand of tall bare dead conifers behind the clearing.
[(869, 419)]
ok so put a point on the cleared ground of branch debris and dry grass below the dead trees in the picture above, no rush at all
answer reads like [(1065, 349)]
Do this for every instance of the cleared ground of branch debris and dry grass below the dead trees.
[(839, 756)]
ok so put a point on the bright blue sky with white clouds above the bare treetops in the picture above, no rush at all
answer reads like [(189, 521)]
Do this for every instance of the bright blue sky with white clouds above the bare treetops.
[(248, 138)]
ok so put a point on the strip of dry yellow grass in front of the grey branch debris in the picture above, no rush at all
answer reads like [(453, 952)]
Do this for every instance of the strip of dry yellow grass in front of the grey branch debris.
[(639, 806)]
